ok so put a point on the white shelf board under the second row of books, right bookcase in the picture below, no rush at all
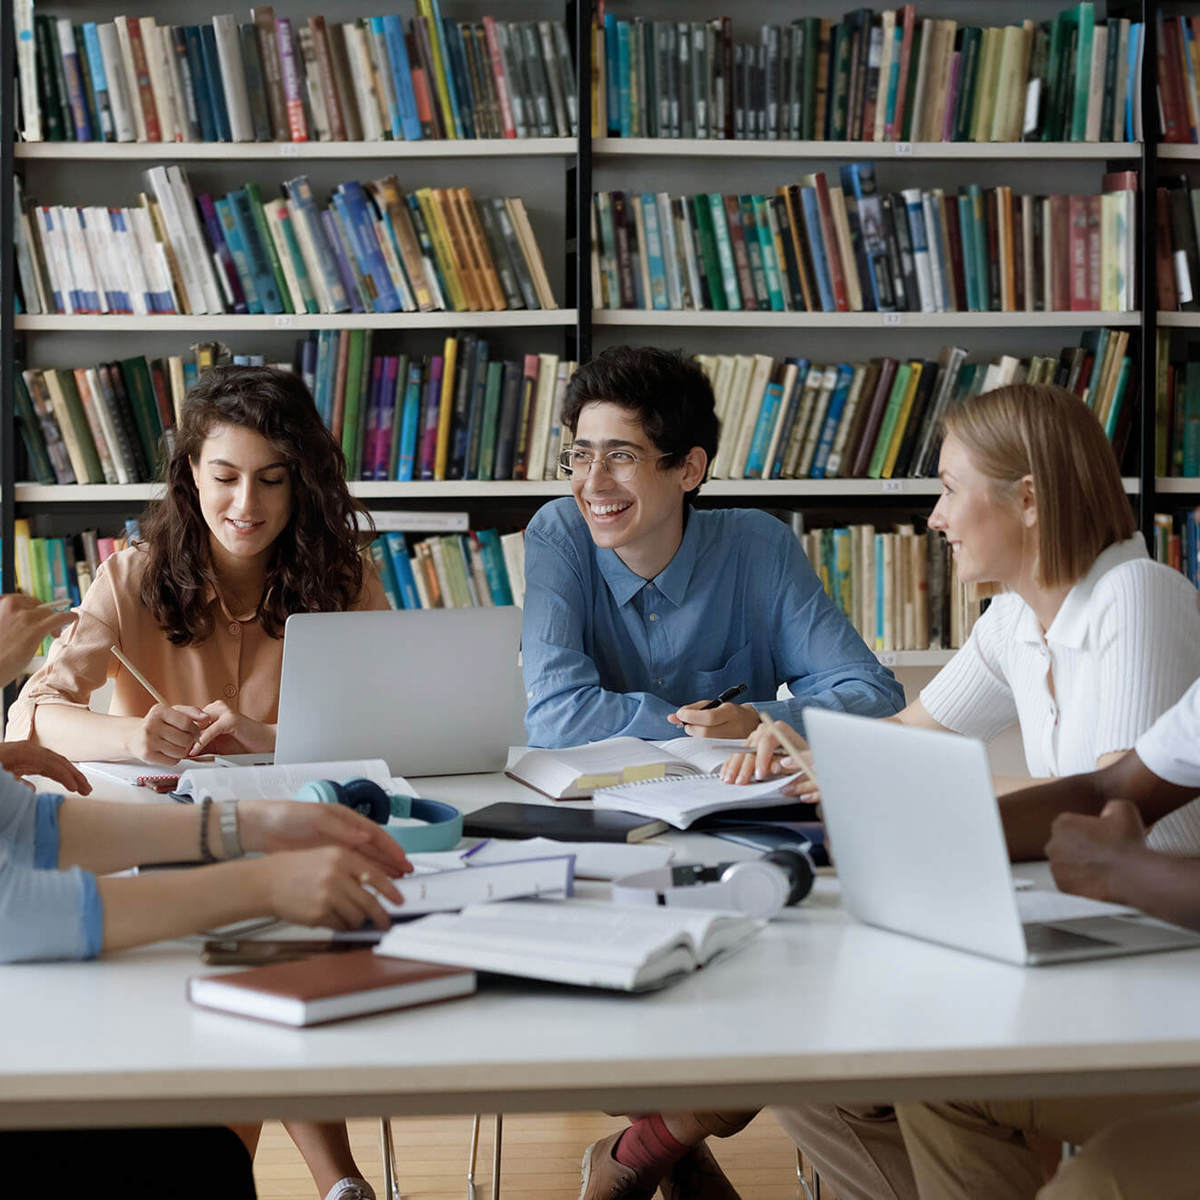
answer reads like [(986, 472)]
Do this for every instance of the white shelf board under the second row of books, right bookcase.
[(663, 317)]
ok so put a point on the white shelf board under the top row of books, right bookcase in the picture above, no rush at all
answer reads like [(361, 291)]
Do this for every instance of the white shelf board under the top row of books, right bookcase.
[(959, 152)]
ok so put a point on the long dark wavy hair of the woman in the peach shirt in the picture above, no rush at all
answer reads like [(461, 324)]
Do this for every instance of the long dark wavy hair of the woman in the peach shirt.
[(317, 565)]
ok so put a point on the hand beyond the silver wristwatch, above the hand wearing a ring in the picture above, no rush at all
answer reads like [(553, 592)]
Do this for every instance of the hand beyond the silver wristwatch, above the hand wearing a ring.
[(272, 826)]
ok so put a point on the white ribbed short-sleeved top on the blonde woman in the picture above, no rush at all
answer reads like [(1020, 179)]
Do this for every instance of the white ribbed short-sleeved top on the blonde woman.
[(1123, 650)]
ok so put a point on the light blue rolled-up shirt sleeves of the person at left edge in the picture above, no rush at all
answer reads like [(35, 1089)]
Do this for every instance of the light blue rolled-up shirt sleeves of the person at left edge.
[(45, 914)]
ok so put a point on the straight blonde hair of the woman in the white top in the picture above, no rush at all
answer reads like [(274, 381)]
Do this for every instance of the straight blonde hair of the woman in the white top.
[(1052, 435)]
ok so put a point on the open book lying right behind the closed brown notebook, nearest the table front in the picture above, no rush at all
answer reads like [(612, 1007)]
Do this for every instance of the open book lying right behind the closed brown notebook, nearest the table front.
[(590, 944)]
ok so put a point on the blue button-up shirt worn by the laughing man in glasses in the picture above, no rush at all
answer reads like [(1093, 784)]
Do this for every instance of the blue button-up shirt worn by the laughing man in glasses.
[(608, 653)]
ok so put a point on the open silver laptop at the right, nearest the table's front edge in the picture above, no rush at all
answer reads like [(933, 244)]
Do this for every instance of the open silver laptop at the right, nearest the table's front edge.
[(916, 835)]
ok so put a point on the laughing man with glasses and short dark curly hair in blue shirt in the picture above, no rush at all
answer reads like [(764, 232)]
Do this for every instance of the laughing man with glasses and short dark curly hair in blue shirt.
[(641, 609)]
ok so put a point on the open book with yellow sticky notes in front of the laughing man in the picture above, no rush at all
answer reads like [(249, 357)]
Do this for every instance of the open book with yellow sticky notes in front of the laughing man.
[(577, 772)]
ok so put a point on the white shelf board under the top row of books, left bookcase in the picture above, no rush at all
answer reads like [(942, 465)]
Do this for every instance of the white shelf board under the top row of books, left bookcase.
[(266, 152)]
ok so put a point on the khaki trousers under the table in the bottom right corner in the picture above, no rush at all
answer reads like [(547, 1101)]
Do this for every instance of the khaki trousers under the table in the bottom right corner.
[(1135, 1148)]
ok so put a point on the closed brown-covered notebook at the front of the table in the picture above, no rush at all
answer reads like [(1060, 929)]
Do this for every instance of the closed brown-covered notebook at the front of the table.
[(329, 988)]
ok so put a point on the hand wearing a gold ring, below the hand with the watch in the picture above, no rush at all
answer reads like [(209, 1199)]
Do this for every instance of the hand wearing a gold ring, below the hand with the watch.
[(329, 887)]
